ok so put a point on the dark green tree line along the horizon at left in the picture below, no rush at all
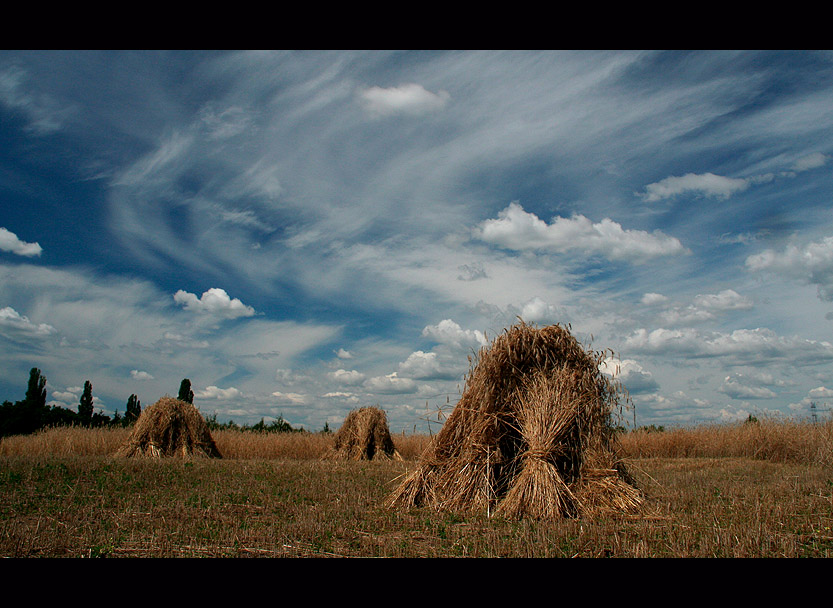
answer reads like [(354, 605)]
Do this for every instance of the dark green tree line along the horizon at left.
[(31, 413)]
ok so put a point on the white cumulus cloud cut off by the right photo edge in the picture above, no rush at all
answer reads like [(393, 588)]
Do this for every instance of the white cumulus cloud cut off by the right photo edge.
[(811, 264)]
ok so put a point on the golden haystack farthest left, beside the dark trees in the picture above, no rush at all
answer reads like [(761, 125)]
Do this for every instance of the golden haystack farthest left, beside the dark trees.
[(170, 427)]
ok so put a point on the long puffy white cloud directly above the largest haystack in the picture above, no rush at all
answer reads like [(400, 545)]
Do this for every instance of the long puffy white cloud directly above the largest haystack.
[(519, 230)]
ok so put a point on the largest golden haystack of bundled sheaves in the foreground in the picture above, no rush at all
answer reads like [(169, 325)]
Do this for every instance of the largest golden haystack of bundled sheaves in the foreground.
[(531, 436)]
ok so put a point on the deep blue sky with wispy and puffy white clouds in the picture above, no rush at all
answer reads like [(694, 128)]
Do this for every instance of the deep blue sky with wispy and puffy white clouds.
[(301, 233)]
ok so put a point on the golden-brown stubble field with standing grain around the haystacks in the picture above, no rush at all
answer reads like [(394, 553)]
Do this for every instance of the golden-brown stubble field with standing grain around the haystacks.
[(750, 490)]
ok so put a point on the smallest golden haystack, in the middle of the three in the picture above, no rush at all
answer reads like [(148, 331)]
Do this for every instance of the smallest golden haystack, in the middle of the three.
[(364, 435)]
